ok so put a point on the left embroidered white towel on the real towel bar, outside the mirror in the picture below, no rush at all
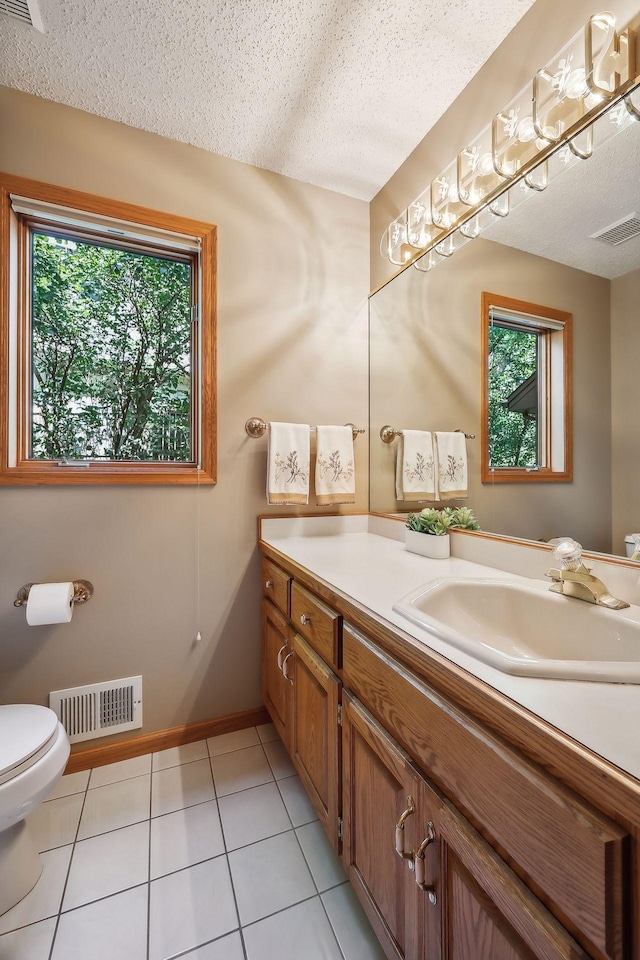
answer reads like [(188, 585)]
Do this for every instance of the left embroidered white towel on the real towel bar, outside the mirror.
[(288, 463)]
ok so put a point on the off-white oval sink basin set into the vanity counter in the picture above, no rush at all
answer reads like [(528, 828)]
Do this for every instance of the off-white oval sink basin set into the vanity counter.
[(524, 629)]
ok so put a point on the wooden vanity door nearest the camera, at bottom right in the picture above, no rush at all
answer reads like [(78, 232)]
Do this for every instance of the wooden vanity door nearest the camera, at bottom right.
[(486, 911)]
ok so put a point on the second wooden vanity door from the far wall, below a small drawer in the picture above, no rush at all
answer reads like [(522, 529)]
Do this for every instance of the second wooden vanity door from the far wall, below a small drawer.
[(315, 734)]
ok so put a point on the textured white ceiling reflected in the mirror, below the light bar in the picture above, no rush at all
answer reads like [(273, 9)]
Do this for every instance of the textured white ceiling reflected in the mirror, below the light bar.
[(558, 223)]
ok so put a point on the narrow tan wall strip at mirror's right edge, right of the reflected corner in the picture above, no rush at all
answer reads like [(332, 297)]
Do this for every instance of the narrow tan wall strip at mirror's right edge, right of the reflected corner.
[(625, 350)]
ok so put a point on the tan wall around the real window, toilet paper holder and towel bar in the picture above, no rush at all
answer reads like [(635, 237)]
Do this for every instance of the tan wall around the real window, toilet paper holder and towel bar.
[(293, 281)]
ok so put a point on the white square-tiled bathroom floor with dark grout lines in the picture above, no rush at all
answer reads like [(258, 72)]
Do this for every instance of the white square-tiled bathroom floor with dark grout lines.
[(210, 851)]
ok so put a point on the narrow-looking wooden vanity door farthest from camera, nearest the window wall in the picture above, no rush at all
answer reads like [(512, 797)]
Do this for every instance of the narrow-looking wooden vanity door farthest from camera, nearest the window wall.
[(277, 677)]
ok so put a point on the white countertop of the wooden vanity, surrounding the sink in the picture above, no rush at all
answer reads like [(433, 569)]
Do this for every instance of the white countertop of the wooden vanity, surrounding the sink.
[(364, 558)]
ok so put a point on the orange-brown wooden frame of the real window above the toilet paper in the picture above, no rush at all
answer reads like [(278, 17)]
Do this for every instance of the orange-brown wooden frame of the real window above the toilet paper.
[(15, 466)]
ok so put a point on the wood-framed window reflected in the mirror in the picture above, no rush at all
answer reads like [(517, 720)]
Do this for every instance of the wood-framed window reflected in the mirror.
[(526, 401)]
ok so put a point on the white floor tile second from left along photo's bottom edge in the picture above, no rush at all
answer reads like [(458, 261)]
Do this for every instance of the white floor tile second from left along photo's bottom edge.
[(115, 927)]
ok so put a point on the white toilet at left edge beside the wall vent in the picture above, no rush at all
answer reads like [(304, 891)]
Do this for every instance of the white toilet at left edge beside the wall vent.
[(34, 749)]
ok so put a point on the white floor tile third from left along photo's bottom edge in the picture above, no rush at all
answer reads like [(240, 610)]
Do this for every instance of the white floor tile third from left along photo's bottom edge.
[(191, 907)]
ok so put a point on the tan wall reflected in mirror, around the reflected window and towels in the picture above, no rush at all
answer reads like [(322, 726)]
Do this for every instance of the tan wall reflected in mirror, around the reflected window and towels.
[(426, 374)]
